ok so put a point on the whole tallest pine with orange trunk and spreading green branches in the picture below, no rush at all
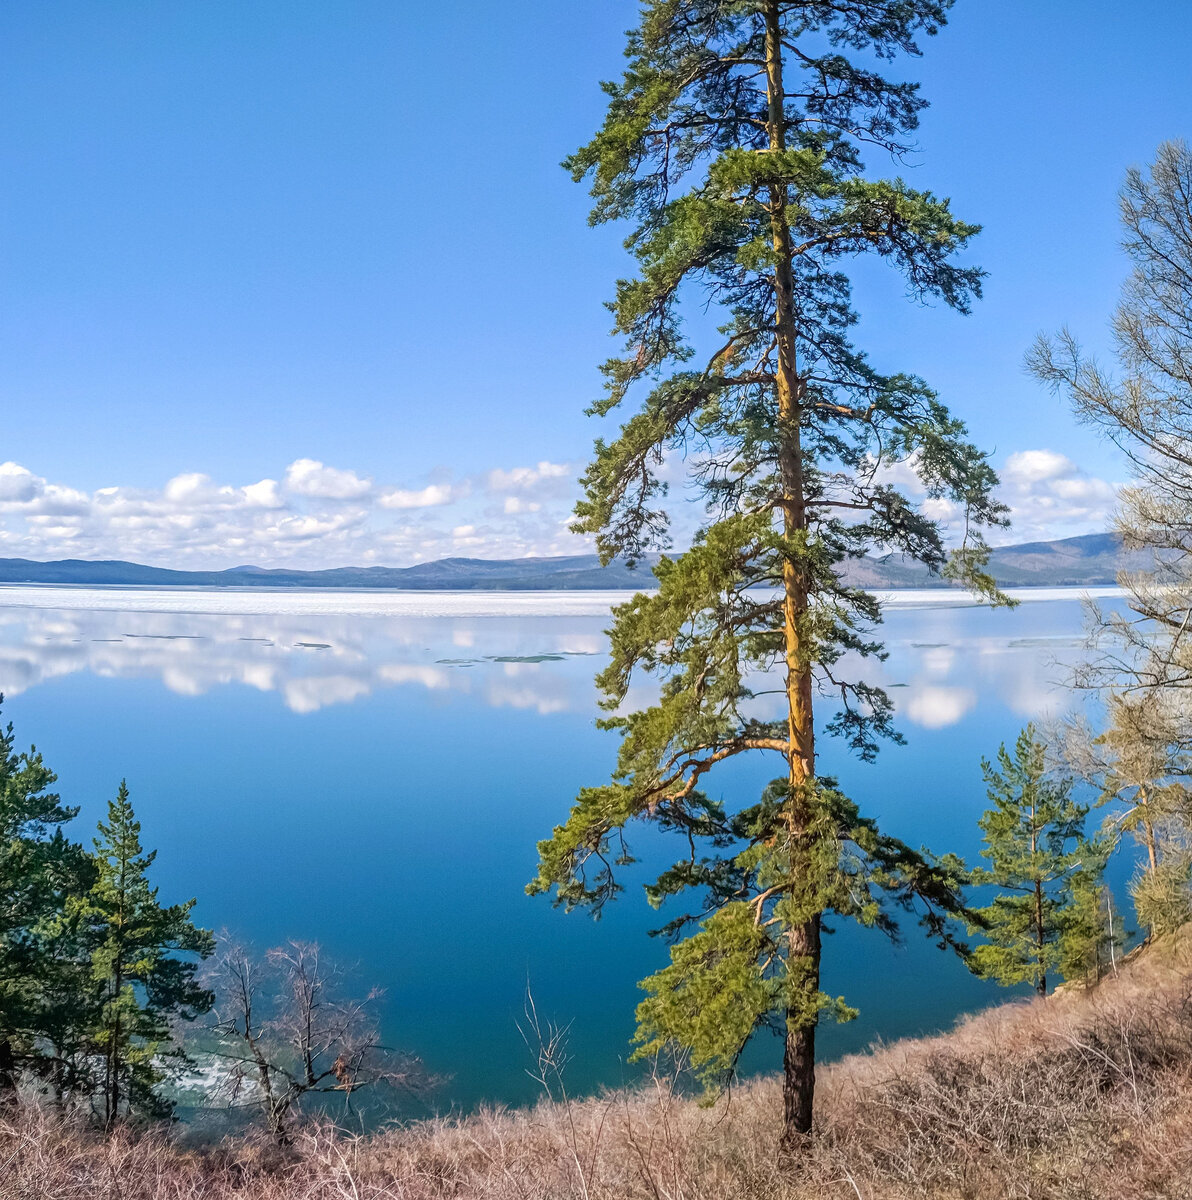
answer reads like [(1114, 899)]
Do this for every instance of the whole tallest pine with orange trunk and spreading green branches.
[(733, 146)]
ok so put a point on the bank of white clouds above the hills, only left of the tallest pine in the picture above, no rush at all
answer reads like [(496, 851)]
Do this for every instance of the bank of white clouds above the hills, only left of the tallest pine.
[(318, 517)]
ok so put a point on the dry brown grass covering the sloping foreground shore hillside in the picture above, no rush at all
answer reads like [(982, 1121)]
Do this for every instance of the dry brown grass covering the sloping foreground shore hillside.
[(1081, 1096)]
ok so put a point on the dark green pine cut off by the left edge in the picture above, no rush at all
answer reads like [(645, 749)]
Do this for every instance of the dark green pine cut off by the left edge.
[(39, 869)]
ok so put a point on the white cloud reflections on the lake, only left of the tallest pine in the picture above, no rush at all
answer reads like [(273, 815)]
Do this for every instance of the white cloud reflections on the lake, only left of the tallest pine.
[(310, 662)]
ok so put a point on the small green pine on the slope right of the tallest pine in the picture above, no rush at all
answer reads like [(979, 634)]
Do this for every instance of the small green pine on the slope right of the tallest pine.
[(1034, 841)]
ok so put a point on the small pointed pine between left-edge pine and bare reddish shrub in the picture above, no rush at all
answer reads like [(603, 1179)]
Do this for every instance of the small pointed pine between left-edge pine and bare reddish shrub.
[(143, 963)]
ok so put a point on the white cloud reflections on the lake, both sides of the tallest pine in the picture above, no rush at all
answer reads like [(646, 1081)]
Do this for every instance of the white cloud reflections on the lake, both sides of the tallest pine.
[(316, 661)]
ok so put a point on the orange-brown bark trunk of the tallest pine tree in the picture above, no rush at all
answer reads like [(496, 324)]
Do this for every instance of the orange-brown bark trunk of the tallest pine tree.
[(804, 941)]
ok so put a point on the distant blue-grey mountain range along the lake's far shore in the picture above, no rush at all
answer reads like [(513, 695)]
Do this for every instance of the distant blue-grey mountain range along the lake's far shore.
[(1070, 562)]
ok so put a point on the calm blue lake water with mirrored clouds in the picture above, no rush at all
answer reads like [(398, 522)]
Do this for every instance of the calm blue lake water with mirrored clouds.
[(362, 771)]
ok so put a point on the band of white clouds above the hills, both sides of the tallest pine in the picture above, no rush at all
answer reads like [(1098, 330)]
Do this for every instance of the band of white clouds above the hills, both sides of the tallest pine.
[(310, 515)]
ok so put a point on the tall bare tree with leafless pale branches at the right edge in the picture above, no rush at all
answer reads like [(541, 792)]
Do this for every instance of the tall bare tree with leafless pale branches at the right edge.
[(1145, 759)]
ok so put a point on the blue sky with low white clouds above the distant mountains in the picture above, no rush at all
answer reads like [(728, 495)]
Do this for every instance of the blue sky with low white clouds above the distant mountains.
[(303, 283)]
